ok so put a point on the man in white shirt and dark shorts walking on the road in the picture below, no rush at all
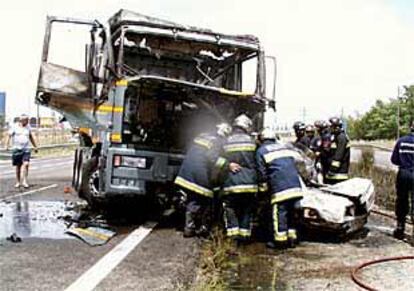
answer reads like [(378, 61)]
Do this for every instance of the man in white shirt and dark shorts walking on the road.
[(21, 136)]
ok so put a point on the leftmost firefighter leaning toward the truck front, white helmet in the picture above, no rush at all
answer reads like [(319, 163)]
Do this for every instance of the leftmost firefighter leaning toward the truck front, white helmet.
[(195, 179)]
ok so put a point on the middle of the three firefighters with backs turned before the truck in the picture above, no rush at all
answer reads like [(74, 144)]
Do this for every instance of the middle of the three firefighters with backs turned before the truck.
[(240, 186)]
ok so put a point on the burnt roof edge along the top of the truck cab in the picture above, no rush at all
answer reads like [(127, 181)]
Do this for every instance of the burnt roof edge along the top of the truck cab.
[(133, 19)]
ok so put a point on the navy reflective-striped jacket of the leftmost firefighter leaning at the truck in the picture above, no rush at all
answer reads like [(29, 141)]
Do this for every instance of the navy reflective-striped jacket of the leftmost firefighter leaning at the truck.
[(202, 159)]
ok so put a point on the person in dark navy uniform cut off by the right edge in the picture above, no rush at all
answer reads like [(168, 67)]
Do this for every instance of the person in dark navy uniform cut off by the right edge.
[(403, 157)]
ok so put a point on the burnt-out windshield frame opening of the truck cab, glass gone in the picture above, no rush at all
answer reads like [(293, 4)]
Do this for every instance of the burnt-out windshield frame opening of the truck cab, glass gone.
[(212, 57)]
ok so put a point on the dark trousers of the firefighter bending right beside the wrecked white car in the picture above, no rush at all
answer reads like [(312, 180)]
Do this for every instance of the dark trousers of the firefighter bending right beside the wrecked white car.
[(284, 224)]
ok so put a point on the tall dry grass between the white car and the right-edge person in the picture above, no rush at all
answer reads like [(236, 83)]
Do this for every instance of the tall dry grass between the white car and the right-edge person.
[(384, 180)]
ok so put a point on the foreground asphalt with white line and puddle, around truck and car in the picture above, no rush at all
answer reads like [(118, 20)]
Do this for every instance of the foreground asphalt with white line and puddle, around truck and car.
[(156, 257)]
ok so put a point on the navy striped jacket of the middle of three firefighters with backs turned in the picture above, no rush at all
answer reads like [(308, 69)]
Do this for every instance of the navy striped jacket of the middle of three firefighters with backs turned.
[(240, 148)]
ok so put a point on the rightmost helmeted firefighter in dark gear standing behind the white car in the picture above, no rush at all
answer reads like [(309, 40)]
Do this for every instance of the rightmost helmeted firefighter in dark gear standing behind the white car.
[(340, 153)]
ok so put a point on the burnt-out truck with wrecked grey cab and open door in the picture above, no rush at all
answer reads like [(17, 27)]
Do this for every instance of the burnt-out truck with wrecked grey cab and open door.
[(148, 86)]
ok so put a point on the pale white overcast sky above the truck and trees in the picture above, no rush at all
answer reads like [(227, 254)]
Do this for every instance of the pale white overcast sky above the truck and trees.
[(334, 56)]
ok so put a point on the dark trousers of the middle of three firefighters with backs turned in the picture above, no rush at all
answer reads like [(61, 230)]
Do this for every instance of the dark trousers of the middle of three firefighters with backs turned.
[(238, 211)]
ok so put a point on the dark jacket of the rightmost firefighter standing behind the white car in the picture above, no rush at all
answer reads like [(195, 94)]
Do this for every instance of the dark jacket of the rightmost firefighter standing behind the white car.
[(340, 157)]
